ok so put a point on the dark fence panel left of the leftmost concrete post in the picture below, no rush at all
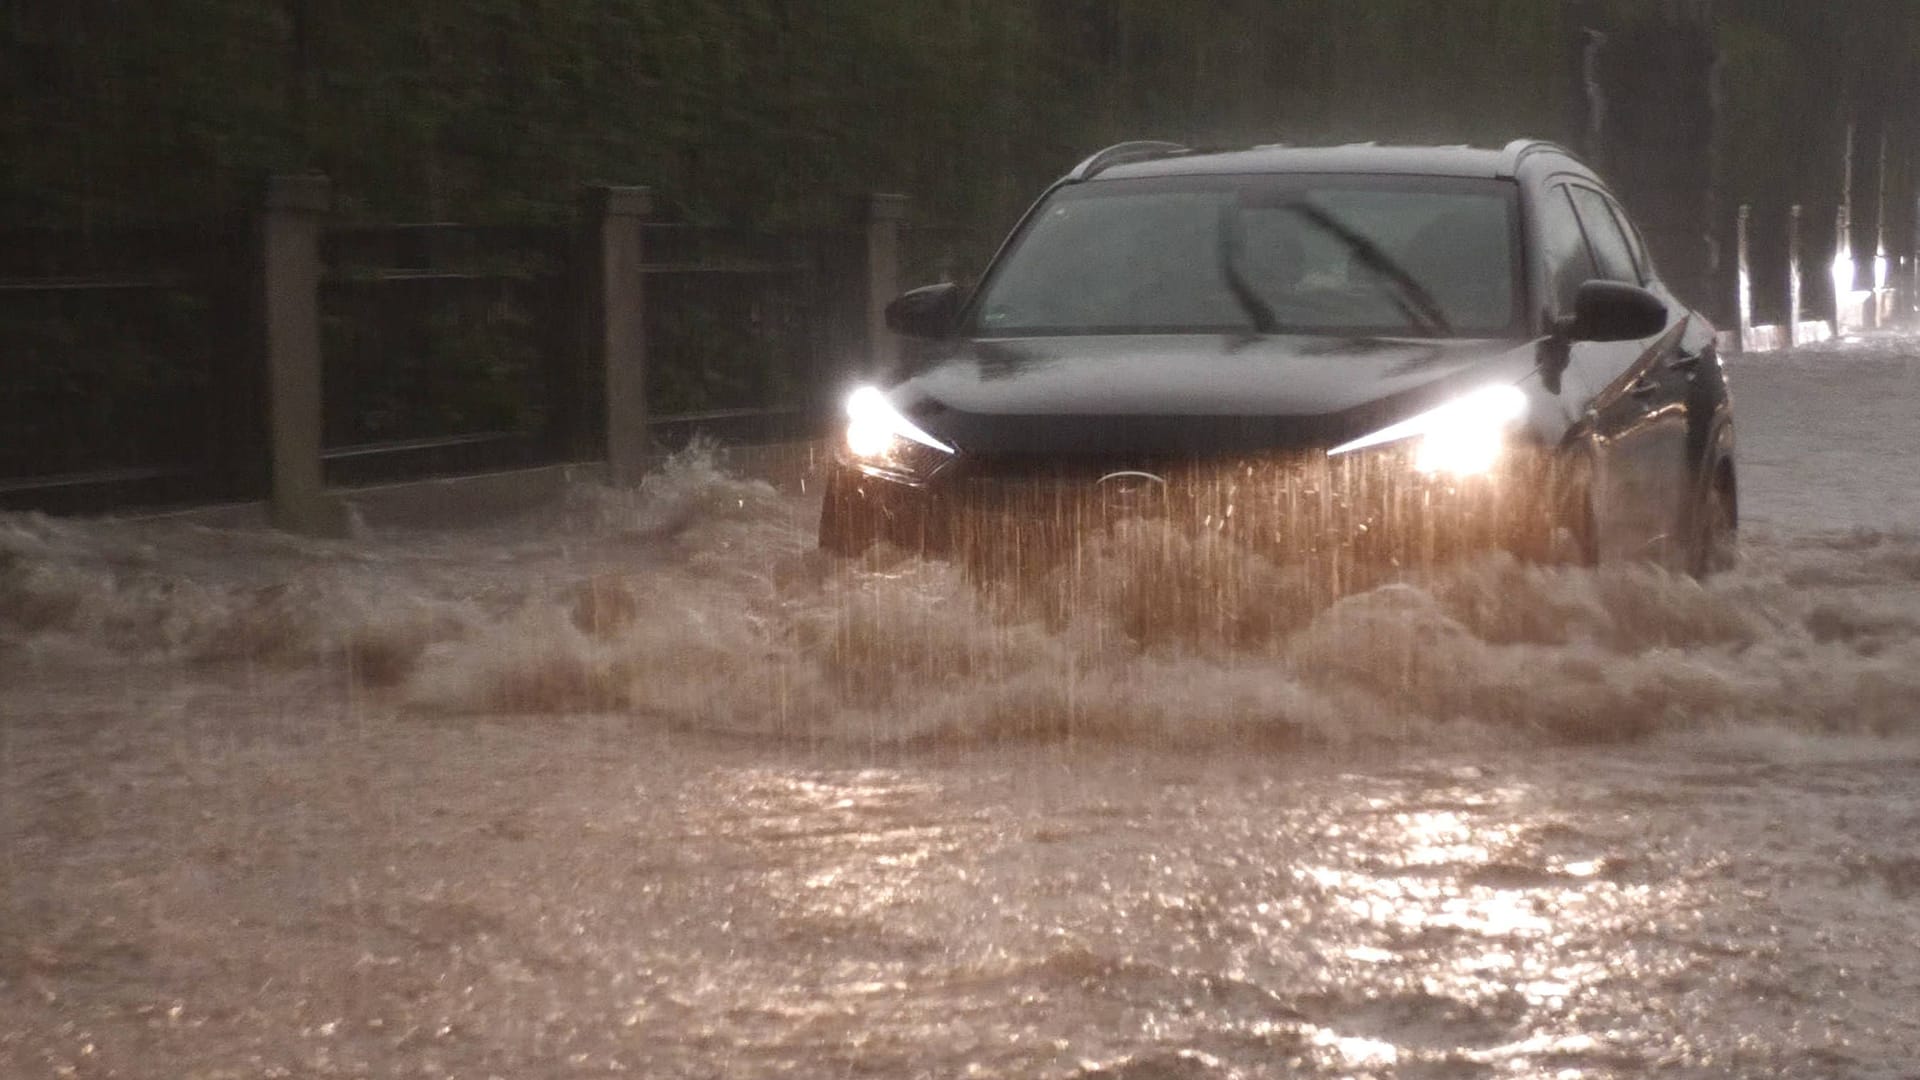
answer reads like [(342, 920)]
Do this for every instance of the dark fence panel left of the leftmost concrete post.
[(120, 370)]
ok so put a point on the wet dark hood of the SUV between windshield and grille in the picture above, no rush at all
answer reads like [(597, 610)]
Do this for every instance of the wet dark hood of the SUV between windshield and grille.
[(1191, 395)]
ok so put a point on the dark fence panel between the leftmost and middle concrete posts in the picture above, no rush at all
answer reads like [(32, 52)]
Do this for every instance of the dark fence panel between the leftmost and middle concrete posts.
[(446, 349)]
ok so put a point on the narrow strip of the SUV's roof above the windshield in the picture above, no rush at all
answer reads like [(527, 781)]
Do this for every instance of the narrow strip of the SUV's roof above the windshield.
[(1134, 160)]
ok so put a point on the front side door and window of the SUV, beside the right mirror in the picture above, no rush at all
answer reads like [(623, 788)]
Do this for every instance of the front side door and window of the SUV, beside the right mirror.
[(1643, 408)]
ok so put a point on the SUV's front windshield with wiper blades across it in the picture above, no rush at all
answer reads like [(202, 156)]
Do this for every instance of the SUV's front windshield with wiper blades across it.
[(1312, 255)]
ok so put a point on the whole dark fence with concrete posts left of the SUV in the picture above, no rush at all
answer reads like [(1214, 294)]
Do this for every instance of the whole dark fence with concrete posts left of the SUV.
[(293, 355)]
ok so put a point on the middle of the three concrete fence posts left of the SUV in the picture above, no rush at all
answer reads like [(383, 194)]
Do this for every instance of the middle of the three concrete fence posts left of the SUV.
[(619, 318)]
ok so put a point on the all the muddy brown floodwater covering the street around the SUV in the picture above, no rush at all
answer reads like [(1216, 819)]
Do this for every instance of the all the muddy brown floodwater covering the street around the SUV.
[(644, 787)]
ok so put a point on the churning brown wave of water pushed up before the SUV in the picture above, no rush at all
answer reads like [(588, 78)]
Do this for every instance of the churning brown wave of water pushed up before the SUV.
[(698, 602)]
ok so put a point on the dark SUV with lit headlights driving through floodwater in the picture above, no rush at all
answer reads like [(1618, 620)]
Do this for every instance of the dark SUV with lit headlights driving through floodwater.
[(1364, 353)]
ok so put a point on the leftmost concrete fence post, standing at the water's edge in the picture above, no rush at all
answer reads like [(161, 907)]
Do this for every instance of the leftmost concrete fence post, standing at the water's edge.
[(291, 314)]
